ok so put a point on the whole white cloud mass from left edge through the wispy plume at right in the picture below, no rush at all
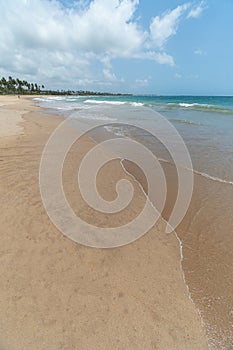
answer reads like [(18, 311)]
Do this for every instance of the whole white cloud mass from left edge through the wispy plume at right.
[(44, 41)]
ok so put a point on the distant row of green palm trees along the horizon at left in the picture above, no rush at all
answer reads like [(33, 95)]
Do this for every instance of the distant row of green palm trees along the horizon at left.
[(22, 87)]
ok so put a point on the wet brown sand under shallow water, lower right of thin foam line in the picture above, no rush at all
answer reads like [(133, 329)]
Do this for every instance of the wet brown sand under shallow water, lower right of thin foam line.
[(206, 233)]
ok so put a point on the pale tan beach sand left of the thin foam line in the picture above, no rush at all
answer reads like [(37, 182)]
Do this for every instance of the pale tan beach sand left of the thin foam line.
[(56, 294)]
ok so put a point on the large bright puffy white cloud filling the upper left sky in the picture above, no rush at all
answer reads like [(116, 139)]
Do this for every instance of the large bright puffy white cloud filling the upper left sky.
[(46, 24)]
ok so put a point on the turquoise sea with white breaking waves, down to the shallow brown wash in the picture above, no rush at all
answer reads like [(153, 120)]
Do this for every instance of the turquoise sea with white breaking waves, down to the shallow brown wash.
[(204, 122)]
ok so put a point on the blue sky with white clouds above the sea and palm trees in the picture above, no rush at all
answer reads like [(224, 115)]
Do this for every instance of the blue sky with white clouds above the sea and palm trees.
[(164, 47)]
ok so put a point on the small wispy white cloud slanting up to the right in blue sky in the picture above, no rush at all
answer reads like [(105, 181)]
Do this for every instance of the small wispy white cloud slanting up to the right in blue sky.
[(162, 28)]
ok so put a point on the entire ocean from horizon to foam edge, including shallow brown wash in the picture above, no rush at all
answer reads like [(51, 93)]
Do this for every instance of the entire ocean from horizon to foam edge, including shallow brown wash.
[(206, 126)]
